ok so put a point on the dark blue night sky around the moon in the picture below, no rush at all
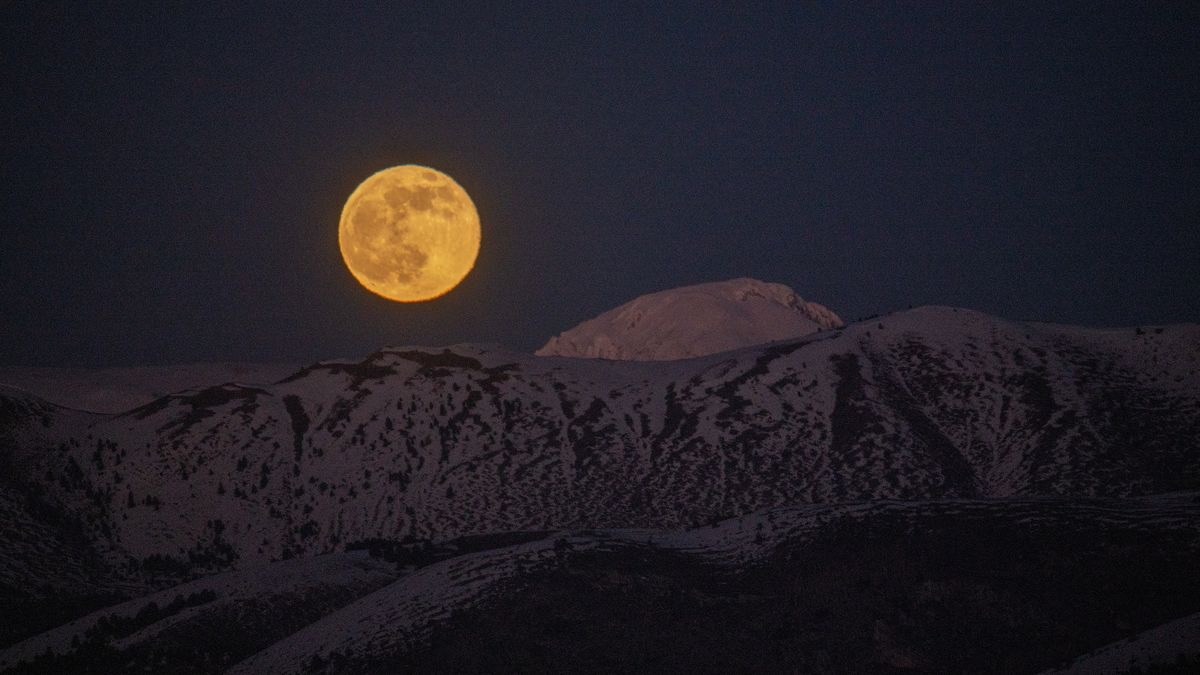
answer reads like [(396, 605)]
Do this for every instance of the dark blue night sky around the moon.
[(173, 176)]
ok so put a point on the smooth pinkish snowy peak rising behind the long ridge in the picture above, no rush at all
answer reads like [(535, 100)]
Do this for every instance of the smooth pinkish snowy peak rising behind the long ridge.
[(694, 321)]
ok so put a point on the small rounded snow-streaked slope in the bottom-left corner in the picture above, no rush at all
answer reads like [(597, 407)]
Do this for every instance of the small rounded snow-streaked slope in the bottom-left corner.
[(203, 625)]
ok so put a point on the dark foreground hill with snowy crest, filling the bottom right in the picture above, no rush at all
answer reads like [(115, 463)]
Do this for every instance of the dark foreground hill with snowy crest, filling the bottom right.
[(572, 590)]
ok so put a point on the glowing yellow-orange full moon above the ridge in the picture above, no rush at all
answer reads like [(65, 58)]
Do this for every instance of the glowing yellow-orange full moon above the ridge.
[(410, 234)]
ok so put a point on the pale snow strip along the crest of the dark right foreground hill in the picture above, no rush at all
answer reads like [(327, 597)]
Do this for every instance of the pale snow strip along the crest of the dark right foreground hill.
[(403, 616)]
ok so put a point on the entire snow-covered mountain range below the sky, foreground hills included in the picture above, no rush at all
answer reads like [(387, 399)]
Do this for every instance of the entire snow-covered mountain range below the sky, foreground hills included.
[(371, 515)]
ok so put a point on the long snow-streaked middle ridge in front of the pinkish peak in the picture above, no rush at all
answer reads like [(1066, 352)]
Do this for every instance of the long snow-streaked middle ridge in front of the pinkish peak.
[(436, 444)]
